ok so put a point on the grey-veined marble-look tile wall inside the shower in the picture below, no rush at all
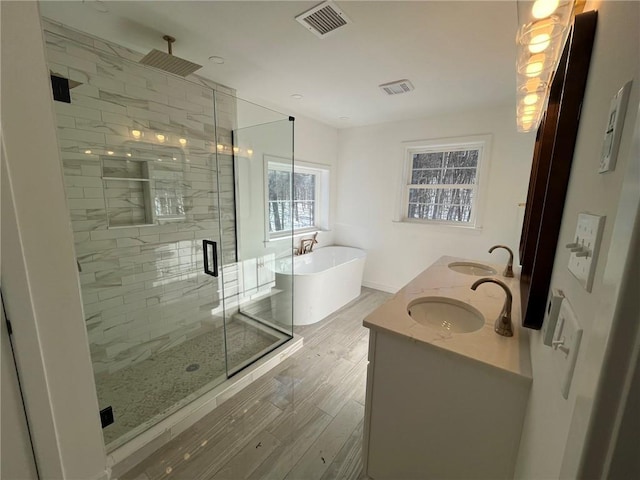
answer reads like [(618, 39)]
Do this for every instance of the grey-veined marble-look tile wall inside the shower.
[(143, 287)]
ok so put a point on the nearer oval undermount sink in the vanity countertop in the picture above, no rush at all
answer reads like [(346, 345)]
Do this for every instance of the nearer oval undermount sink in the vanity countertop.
[(445, 313)]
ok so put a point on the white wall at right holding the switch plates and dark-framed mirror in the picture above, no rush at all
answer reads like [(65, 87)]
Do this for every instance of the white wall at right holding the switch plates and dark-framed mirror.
[(555, 428)]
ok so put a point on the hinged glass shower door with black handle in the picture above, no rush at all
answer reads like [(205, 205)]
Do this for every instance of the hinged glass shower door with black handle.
[(141, 176)]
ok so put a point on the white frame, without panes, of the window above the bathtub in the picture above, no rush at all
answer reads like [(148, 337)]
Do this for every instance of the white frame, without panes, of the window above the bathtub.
[(321, 200)]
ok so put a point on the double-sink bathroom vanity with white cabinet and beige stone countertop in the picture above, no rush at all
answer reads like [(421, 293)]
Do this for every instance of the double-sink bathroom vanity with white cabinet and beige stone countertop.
[(445, 398)]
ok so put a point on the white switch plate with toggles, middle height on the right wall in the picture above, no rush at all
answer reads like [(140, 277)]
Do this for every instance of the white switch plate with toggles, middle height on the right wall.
[(584, 248)]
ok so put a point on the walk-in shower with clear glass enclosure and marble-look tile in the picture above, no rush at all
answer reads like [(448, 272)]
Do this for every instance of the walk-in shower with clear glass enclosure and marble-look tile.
[(166, 194)]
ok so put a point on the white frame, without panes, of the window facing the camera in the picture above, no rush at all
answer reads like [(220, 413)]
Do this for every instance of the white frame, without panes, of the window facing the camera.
[(480, 142)]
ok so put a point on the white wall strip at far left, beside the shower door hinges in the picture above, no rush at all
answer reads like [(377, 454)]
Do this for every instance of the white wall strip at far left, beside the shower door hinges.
[(39, 278)]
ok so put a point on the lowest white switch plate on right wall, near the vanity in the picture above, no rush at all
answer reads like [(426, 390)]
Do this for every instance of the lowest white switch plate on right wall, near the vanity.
[(566, 344)]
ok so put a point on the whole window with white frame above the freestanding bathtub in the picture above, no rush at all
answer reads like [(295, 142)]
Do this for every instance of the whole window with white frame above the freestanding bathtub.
[(295, 199)]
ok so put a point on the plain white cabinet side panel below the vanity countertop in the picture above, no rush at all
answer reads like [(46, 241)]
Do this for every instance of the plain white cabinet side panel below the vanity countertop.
[(430, 415)]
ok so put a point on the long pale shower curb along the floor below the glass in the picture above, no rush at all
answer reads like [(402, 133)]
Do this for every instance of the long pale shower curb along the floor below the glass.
[(127, 456)]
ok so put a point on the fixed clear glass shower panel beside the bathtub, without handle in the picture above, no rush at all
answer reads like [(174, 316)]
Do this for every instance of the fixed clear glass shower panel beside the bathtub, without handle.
[(257, 297)]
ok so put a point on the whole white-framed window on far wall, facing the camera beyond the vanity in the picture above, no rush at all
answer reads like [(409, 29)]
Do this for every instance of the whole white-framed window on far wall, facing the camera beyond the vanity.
[(441, 184)]
